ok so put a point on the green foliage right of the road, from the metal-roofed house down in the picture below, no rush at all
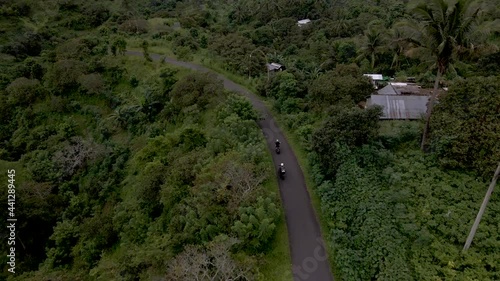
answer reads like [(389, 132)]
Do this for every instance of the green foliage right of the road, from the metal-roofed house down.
[(394, 213)]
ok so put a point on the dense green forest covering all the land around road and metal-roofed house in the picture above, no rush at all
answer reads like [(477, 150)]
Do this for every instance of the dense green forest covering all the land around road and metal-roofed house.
[(130, 169)]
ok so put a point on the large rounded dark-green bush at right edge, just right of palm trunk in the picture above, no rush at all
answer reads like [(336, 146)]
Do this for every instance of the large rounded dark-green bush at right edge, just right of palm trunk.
[(465, 128)]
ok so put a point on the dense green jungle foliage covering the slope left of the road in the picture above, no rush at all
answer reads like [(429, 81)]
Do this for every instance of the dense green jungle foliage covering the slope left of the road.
[(125, 165)]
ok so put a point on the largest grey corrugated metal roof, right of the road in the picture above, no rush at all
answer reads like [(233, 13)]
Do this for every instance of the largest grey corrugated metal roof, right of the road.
[(400, 107)]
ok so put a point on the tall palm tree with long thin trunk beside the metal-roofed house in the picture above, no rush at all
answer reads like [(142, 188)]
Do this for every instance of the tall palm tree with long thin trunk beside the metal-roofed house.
[(442, 29)]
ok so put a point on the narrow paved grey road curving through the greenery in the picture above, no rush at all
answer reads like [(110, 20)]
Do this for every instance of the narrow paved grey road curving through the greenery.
[(309, 261)]
